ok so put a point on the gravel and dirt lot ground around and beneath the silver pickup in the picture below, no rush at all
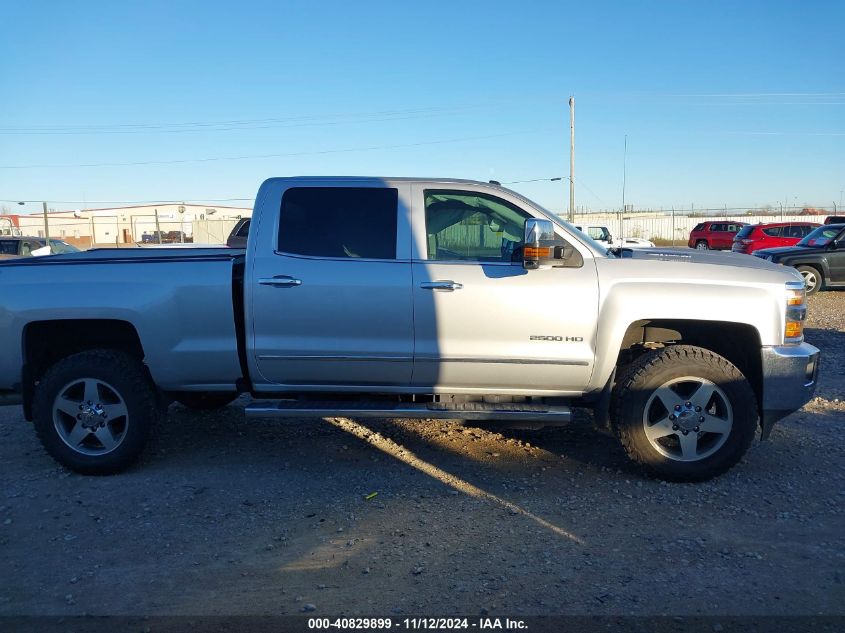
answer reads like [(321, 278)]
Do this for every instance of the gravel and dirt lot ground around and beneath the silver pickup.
[(229, 517)]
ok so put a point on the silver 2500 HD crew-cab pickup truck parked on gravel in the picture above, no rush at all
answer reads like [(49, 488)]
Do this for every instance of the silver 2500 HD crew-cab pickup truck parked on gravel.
[(400, 298)]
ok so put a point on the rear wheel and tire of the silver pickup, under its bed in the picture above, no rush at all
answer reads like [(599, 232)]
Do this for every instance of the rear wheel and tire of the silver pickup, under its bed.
[(122, 385)]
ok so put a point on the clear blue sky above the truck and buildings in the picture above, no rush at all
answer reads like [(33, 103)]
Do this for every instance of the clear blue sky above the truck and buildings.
[(736, 103)]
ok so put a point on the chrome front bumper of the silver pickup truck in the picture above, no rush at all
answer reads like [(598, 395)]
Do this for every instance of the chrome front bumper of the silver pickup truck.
[(789, 380)]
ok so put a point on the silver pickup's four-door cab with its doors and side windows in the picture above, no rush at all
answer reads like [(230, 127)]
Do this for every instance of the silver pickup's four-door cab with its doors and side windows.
[(398, 286)]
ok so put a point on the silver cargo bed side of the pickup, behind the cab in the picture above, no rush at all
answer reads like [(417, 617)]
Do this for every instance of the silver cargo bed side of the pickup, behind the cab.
[(184, 304)]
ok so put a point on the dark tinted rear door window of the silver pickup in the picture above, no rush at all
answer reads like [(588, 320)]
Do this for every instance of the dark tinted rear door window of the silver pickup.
[(339, 222)]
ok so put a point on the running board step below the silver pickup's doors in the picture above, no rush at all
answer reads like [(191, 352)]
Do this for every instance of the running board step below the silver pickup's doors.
[(464, 411)]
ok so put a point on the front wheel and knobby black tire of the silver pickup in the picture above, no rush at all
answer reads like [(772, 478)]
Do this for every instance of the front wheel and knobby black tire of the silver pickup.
[(714, 409)]
